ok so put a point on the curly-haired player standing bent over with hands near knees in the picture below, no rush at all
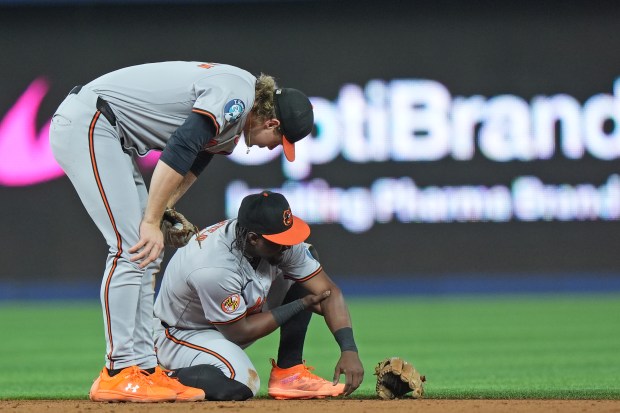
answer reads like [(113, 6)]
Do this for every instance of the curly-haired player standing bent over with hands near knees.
[(189, 111)]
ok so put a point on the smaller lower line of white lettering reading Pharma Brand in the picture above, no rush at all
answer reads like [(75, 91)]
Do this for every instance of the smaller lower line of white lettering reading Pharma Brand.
[(390, 200)]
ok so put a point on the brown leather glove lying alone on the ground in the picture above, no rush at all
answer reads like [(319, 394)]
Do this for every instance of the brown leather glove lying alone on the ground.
[(397, 377)]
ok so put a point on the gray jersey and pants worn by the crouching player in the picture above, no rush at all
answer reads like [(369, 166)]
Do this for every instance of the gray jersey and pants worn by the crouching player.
[(213, 285)]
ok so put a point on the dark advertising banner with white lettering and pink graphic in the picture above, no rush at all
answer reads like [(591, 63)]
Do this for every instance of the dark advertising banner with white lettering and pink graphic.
[(448, 138)]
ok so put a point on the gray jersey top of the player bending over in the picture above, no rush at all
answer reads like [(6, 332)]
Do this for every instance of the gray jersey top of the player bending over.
[(152, 100)]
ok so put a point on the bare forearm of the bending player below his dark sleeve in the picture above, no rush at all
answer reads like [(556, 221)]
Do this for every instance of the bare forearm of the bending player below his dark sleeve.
[(164, 182)]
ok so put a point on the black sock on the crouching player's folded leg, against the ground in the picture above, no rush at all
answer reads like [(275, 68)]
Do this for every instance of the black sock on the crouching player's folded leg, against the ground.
[(215, 384)]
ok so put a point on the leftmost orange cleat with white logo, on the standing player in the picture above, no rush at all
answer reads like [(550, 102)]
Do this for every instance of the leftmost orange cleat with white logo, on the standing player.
[(130, 385)]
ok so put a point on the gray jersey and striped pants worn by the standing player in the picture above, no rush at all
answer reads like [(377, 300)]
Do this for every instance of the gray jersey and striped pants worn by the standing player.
[(148, 102)]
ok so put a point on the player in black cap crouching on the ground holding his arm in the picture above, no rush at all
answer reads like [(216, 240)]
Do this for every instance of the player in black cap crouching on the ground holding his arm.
[(252, 275)]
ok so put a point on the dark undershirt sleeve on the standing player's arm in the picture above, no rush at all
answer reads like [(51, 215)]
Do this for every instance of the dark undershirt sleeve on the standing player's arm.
[(186, 143)]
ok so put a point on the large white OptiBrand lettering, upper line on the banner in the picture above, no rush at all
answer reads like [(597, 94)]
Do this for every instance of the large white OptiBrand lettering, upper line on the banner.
[(415, 120)]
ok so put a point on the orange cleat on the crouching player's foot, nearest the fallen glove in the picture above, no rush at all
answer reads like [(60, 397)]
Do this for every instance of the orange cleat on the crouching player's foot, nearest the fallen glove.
[(298, 382)]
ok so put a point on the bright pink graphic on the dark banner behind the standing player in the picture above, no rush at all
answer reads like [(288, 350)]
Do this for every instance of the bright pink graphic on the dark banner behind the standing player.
[(25, 154)]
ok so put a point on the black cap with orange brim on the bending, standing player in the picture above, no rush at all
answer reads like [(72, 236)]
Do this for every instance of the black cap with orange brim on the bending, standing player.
[(294, 111)]
